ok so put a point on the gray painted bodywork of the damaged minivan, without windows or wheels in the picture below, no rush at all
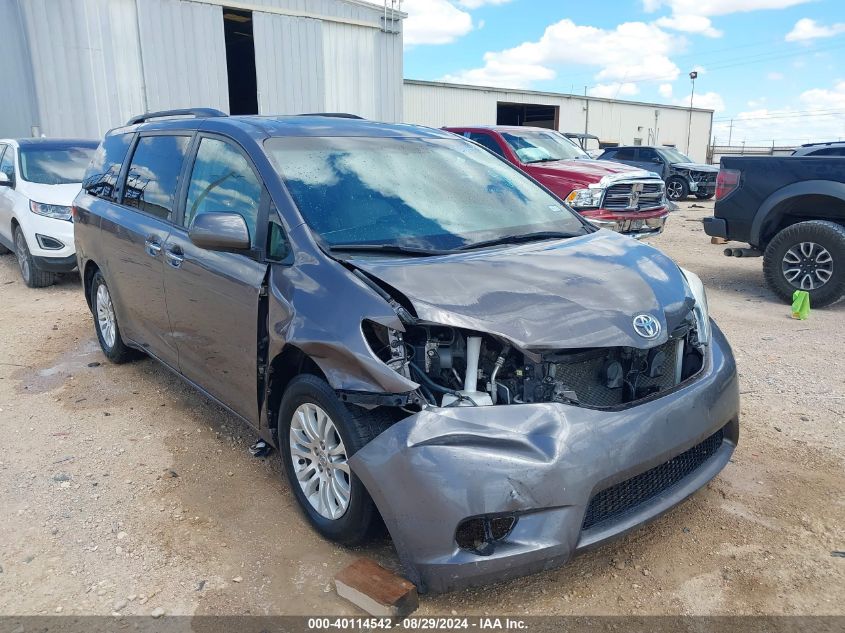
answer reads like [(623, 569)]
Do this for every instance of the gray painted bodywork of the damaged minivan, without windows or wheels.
[(436, 467)]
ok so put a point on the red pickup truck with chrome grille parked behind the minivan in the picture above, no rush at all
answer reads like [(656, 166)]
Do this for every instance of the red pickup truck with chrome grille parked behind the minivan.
[(609, 195)]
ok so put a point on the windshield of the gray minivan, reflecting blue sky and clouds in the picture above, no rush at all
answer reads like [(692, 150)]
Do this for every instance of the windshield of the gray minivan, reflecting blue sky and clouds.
[(436, 194)]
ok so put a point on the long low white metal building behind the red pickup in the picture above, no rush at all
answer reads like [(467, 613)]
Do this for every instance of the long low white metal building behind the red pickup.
[(615, 122)]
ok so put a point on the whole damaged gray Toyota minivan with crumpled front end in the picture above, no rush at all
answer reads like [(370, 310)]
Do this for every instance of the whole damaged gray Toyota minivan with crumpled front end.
[(430, 338)]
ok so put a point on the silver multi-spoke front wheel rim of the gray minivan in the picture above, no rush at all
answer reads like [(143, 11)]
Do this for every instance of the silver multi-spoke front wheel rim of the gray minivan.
[(320, 461)]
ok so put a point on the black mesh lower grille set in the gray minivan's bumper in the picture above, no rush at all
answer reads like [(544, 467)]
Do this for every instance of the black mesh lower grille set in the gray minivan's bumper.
[(612, 504)]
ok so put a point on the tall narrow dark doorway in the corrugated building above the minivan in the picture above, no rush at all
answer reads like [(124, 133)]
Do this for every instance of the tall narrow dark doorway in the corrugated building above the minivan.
[(240, 61)]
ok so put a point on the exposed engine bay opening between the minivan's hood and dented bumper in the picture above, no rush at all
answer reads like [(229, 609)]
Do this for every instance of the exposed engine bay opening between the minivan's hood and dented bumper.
[(461, 368)]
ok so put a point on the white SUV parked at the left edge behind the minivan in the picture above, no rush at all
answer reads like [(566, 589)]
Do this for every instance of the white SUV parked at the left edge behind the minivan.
[(38, 181)]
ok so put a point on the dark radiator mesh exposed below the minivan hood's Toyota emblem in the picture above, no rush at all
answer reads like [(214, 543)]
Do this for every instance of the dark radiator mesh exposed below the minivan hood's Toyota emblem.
[(584, 377)]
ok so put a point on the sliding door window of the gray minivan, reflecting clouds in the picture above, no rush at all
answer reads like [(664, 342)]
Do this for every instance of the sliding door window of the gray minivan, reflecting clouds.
[(153, 175)]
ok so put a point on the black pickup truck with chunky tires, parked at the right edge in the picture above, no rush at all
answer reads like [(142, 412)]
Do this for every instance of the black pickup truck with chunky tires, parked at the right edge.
[(791, 211)]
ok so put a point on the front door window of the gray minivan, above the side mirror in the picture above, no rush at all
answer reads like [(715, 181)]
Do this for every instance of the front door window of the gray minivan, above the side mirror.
[(222, 181)]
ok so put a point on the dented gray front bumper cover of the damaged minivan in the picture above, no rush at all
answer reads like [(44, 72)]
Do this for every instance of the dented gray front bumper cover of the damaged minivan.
[(541, 463)]
